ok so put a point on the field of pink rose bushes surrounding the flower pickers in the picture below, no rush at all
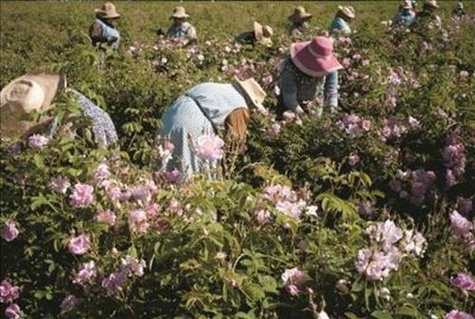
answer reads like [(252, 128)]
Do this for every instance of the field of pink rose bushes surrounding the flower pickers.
[(368, 212)]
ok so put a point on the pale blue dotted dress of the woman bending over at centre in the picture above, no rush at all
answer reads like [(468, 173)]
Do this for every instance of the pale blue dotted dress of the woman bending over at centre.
[(201, 110)]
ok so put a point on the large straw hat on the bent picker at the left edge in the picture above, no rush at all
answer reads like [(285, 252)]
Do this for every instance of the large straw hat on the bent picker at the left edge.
[(24, 95)]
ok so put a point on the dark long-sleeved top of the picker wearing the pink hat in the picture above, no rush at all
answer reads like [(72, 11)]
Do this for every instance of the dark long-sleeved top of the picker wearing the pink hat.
[(297, 87)]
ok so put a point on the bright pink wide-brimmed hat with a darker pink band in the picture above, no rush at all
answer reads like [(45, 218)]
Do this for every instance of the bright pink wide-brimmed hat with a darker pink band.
[(315, 58)]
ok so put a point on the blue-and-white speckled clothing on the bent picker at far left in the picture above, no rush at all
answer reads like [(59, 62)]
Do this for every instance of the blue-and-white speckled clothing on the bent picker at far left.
[(102, 125)]
